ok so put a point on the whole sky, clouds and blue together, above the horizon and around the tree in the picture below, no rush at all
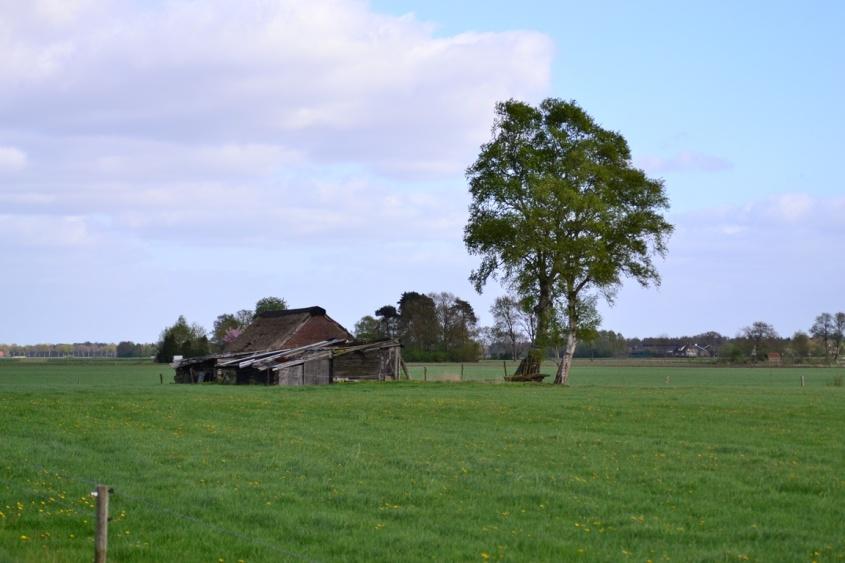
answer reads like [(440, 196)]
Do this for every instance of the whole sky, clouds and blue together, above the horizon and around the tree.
[(179, 157)]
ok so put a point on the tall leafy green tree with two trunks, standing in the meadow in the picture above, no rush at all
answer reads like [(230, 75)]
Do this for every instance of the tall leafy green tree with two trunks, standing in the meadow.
[(559, 213)]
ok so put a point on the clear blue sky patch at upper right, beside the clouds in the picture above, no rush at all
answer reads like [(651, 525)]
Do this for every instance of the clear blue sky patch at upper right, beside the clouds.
[(758, 84)]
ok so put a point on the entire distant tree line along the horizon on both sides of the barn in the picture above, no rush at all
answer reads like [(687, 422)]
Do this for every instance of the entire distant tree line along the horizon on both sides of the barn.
[(440, 326)]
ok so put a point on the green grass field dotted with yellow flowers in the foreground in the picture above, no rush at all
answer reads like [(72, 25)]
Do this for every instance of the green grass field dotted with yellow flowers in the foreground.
[(711, 464)]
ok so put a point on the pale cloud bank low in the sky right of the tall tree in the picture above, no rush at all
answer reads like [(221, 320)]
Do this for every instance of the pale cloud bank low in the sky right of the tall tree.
[(774, 260)]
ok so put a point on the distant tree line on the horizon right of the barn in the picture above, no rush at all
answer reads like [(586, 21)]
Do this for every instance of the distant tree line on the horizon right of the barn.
[(442, 327)]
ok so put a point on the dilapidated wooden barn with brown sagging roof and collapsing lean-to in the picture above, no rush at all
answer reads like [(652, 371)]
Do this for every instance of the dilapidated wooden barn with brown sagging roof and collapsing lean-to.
[(295, 347)]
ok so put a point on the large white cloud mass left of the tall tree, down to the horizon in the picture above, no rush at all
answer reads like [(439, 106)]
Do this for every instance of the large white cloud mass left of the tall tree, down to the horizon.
[(236, 140)]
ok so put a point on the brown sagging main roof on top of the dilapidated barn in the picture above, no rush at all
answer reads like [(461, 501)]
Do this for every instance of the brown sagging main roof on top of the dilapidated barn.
[(277, 330)]
